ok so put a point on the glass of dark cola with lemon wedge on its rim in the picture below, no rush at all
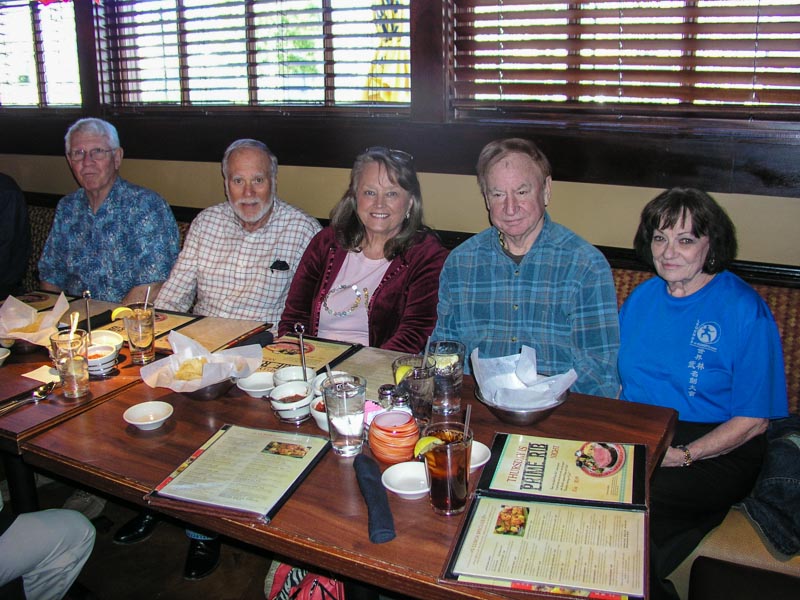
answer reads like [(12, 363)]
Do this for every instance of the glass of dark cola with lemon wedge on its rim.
[(448, 466)]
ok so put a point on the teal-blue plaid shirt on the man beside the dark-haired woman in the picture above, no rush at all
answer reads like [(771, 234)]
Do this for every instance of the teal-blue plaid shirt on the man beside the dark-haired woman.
[(559, 300)]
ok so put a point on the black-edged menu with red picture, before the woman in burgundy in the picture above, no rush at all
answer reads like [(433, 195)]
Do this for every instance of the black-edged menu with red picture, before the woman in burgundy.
[(285, 351)]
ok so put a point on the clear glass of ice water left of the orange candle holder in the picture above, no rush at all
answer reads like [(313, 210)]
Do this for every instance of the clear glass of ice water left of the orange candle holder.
[(344, 403)]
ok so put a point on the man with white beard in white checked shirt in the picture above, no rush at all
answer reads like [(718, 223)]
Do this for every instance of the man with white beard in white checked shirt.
[(240, 256)]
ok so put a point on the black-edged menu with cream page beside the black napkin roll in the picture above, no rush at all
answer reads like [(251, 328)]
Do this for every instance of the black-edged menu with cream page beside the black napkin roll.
[(242, 470)]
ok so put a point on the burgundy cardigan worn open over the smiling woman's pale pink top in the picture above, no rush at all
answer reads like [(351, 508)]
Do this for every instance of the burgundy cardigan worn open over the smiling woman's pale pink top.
[(402, 310)]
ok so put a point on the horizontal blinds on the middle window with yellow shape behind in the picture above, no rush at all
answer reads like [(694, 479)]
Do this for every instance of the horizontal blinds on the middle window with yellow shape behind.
[(197, 52)]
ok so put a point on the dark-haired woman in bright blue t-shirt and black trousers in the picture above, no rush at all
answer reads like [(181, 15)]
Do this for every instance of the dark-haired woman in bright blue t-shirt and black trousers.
[(699, 340)]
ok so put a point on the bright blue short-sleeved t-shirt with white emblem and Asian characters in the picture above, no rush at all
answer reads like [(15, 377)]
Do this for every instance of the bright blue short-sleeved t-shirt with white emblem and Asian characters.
[(713, 355)]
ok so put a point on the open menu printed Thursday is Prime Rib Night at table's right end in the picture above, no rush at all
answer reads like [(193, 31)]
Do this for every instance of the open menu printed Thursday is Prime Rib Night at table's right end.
[(557, 516)]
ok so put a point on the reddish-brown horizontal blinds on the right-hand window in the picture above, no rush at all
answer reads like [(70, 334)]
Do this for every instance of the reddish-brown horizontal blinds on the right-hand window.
[(701, 53)]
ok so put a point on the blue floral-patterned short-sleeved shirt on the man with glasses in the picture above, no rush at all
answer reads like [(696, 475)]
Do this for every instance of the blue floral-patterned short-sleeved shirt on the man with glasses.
[(131, 240)]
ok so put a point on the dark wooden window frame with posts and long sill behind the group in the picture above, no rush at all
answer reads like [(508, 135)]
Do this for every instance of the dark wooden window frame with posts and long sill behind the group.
[(732, 156)]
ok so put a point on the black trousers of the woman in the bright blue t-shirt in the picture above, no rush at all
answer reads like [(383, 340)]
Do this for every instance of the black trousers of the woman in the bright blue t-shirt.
[(688, 502)]
